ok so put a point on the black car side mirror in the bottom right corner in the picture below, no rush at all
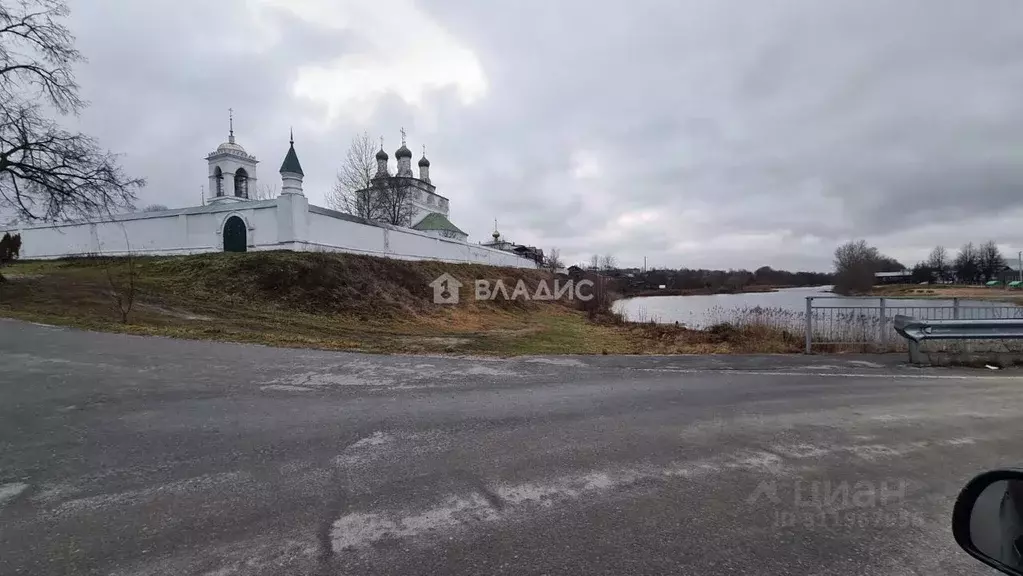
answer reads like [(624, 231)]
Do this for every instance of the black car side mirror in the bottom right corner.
[(988, 520)]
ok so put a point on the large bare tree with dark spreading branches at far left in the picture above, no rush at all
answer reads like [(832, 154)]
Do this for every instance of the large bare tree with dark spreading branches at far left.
[(46, 171)]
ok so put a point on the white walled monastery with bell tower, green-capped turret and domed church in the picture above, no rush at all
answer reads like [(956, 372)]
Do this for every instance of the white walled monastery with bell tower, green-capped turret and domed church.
[(232, 221)]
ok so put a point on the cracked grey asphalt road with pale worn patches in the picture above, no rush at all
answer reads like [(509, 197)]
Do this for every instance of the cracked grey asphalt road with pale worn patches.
[(126, 456)]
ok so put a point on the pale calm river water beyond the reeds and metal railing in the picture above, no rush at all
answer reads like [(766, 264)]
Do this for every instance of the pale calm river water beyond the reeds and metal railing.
[(701, 312)]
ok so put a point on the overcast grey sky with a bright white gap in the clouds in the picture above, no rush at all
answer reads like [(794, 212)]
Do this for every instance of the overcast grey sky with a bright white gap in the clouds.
[(700, 134)]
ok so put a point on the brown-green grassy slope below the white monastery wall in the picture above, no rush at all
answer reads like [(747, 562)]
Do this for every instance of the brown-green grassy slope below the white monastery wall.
[(337, 301)]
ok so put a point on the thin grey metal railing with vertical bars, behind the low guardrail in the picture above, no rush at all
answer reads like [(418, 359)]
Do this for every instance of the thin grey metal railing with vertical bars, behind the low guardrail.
[(868, 322)]
